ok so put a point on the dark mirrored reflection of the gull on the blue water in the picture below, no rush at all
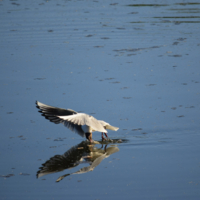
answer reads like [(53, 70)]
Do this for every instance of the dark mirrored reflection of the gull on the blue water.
[(81, 153)]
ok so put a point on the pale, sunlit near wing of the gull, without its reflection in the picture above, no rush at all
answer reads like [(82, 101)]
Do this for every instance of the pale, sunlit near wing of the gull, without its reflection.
[(84, 119)]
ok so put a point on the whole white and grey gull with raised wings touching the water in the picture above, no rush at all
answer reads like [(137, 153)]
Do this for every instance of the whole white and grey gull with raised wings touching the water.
[(81, 123)]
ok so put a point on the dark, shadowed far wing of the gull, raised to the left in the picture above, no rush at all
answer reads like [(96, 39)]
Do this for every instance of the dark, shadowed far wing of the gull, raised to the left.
[(51, 113)]
